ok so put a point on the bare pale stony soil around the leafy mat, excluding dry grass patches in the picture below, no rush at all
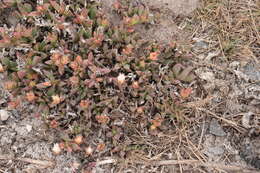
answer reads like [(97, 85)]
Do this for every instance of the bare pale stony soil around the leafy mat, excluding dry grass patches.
[(227, 132)]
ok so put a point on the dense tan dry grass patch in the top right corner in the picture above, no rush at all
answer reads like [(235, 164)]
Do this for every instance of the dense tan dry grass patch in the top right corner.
[(232, 27)]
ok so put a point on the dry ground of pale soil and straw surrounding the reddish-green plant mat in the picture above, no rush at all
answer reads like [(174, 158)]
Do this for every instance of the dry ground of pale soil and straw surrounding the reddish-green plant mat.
[(223, 40)]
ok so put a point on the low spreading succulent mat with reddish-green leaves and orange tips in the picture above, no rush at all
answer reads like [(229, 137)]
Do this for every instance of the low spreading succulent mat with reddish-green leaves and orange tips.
[(91, 79)]
